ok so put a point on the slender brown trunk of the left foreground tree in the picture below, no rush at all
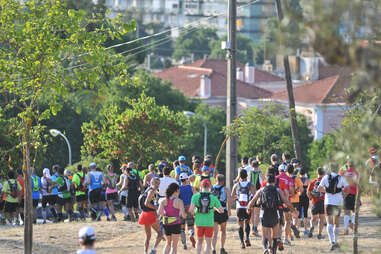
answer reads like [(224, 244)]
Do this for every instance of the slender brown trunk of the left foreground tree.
[(28, 206)]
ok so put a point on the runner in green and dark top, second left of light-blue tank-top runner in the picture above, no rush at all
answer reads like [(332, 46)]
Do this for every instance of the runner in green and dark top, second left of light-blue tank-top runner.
[(64, 195)]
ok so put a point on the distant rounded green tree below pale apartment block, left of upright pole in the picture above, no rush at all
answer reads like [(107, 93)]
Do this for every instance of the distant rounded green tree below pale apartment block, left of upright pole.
[(194, 41)]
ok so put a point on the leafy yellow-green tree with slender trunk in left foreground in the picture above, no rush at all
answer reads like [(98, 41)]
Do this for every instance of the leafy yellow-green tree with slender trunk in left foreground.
[(49, 52)]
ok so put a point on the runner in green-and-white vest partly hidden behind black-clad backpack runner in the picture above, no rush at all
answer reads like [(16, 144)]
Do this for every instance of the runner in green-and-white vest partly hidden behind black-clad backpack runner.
[(257, 178)]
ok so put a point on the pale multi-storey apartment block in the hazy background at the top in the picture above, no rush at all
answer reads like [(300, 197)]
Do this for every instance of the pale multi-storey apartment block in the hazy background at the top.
[(251, 18)]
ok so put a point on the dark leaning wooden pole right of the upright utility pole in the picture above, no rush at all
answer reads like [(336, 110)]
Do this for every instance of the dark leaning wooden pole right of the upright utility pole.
[(290, 92)]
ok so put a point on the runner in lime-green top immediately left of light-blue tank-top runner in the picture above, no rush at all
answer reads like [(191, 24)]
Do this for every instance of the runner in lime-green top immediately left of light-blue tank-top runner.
[(80, 191)]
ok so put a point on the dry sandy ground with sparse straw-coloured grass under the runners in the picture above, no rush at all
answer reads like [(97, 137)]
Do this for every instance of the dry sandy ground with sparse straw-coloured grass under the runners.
[(126, 237)]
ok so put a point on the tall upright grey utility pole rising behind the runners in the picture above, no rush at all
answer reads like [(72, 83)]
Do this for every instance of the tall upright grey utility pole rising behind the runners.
[(231, 96)]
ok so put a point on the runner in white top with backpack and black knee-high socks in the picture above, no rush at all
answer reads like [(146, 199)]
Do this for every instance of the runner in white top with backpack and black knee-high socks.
[(242, 193)]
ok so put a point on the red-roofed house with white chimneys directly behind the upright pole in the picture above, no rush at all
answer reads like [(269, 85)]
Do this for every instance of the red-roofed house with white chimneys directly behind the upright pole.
[(206, 80)]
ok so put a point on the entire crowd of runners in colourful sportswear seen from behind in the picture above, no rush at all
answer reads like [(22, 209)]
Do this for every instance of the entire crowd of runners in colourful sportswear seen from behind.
[(192, 205)]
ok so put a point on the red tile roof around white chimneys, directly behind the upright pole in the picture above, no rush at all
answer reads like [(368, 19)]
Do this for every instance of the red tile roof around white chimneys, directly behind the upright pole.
[(186, 78)]
